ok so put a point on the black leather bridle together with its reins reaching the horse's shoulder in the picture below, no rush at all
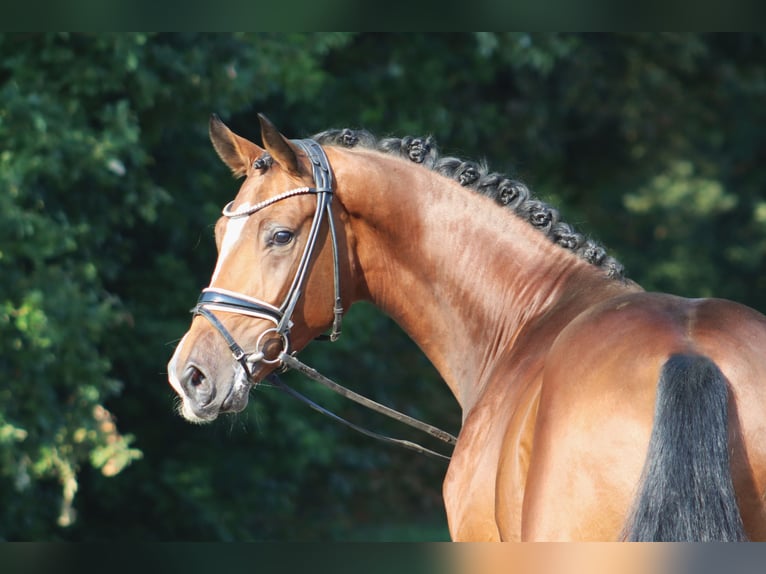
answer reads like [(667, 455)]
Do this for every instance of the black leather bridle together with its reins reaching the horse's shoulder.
[(214, 299)]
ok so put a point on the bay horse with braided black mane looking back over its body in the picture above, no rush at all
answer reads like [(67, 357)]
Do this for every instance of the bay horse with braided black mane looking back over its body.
[(591, 409)]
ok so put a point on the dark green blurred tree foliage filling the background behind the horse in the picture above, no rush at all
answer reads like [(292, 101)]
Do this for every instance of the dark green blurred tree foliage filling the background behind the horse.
[(108, 193)]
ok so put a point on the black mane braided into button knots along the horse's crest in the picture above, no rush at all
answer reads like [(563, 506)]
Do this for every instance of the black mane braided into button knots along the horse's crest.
[(506, 191)]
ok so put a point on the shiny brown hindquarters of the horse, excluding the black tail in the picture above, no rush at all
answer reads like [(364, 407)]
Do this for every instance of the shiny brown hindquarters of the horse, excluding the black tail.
[(597, 404)]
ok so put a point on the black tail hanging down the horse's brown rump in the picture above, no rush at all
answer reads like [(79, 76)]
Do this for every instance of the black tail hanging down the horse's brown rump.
[(686, 491)]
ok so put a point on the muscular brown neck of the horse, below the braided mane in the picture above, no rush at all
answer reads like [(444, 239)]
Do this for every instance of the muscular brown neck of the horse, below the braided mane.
[(461, 275)]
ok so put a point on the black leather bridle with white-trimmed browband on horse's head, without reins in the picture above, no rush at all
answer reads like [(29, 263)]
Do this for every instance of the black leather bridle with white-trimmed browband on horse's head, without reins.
[(214, 299)]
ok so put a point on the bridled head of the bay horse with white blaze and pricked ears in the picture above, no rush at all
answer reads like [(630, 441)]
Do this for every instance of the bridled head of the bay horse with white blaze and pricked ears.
[(276, 282)]
